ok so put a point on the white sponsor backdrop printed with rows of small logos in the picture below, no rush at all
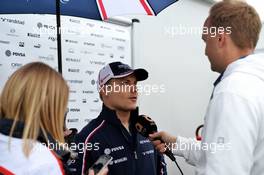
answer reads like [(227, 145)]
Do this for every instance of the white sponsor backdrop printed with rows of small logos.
[(87, 45)]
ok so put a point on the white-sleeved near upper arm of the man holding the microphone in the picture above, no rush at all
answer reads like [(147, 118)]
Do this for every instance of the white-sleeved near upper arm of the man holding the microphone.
[(230, 132)]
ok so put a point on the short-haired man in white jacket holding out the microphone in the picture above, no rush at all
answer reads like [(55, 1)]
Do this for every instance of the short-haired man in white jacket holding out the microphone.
[(234, 122)]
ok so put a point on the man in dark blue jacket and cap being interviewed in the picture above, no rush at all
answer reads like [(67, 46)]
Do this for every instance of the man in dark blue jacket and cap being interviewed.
[(114, 132)]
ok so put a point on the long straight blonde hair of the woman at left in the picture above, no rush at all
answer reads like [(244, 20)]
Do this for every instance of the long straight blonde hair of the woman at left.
[(36, 95)]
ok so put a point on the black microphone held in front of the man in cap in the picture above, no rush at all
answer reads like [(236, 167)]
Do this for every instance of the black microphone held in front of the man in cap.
[(145, 126)]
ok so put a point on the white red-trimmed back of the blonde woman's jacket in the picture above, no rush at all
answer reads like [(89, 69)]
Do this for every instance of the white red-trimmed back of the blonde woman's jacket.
[(42, 160)]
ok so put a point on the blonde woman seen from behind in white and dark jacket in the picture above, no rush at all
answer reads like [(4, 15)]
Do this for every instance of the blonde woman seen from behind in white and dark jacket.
[(32, 107)]
